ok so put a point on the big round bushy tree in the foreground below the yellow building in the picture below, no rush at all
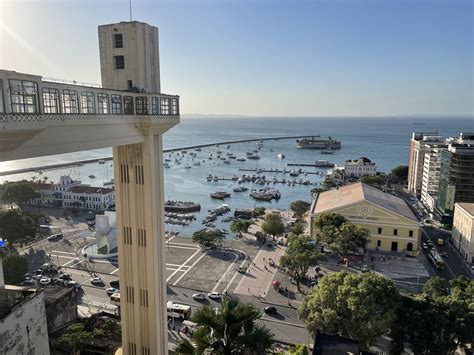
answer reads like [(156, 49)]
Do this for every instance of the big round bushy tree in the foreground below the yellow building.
[(358, 306)]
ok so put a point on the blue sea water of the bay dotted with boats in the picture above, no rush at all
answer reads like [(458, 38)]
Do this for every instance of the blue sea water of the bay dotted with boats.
[(383, 140)]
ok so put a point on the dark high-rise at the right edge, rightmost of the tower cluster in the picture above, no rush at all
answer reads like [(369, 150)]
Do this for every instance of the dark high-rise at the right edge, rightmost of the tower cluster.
[(456, 179)]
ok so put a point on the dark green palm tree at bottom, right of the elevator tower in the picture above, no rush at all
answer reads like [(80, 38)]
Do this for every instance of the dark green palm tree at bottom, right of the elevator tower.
[(231, 329)]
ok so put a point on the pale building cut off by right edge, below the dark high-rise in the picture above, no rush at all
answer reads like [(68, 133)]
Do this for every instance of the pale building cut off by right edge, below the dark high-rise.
[(463, 230)]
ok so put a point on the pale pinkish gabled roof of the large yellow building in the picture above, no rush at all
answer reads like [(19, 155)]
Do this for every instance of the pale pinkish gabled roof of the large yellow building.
[(358, 192)]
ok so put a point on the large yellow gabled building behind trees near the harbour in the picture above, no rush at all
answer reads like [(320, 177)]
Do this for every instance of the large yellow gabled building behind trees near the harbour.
[(392, 224)]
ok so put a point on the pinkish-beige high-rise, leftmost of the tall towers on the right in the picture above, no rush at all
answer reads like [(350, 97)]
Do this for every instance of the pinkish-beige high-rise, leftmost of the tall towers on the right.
[(416, 159)]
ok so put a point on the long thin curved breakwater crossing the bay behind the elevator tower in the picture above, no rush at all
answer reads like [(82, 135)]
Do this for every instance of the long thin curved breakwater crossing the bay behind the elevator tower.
[(88, 161)]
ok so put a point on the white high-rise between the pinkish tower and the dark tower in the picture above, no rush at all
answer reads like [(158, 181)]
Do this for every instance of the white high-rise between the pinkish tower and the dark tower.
[(431, 169)]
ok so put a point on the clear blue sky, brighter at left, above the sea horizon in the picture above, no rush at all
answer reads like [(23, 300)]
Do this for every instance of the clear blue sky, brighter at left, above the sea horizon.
[(267, 57)]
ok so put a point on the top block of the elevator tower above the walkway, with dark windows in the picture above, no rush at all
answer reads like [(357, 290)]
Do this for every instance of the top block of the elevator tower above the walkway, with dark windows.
[(129, 57)]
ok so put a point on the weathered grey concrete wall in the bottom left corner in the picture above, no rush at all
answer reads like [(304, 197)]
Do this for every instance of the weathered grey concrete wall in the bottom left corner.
[(24, 331)]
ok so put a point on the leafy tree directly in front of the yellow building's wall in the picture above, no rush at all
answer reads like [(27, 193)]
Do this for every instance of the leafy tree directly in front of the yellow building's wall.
[(347, 238)]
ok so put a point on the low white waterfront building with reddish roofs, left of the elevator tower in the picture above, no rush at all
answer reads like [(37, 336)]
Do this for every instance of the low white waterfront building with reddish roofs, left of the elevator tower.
[(71, 193)]
